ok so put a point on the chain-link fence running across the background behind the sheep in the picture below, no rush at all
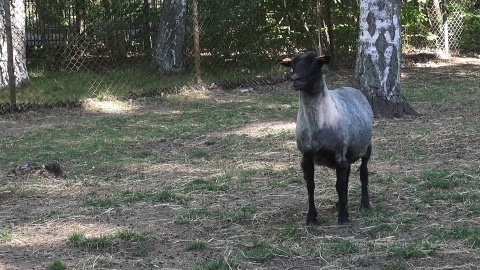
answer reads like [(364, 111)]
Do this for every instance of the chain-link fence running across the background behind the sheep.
[(65, 51)]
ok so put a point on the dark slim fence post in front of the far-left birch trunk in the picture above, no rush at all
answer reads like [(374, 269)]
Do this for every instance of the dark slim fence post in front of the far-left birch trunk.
[(10, 67)]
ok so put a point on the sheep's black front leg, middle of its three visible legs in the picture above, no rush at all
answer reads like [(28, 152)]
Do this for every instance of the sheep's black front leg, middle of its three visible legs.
[(342, 172)]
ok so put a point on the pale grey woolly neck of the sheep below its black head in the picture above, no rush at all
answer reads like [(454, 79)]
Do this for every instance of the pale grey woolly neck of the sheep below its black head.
[(318, 108)]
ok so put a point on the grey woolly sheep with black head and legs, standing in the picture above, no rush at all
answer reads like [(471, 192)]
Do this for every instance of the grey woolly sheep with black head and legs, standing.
[(334, 129)]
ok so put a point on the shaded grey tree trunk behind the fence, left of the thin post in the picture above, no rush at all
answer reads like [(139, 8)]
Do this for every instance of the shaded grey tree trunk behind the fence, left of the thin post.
[(169, 52)]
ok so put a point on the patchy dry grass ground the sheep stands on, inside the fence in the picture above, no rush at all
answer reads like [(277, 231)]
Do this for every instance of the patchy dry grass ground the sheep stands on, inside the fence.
[(211, 180)]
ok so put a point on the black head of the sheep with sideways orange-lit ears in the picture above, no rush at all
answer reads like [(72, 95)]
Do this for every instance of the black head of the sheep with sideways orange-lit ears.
[(307, 69)]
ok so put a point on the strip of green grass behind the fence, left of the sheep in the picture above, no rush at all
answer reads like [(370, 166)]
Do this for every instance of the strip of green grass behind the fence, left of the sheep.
[(51, 86)]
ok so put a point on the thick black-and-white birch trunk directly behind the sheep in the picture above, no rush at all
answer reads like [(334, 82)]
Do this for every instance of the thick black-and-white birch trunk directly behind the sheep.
[(377, 70)]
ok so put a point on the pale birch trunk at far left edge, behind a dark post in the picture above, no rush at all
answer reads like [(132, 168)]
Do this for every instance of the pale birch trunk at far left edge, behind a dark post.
[(17, 10)]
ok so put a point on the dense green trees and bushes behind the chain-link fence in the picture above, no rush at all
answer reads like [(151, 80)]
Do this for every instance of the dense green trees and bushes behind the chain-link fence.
[(238, 31)]
